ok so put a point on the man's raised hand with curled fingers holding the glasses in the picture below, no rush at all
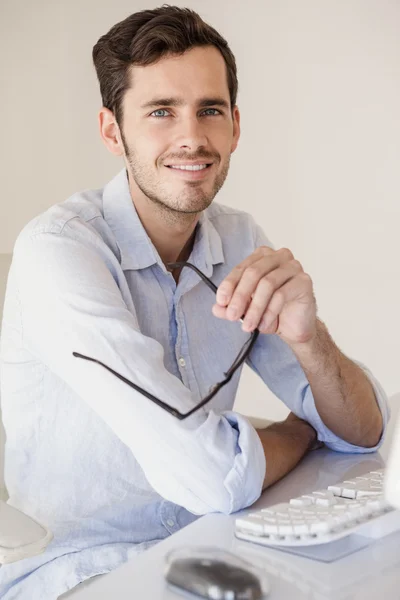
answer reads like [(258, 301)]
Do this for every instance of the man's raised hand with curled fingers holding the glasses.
[(271, 289)]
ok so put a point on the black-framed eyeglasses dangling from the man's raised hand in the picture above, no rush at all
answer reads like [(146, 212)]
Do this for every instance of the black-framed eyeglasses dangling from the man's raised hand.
[(239, 360)]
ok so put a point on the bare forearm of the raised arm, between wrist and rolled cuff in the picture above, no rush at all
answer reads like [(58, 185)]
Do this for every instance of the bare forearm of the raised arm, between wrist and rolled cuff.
[(343, 394)]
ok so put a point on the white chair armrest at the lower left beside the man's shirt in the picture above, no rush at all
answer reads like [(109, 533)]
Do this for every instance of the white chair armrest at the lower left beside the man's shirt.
[(20, 535)]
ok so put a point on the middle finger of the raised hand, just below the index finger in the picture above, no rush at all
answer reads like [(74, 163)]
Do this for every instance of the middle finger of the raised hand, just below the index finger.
[(251, 277)]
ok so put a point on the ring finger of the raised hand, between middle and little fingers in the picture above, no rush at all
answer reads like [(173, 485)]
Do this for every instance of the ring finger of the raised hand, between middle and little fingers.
[(265, 290)]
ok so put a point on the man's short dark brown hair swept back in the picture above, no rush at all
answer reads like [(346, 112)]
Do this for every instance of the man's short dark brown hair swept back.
[(145, 37)]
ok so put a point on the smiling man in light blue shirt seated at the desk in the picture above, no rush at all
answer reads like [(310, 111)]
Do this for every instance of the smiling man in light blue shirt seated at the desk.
[(95, 296)]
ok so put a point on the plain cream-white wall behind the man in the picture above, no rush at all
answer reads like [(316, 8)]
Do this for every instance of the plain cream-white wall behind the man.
[(318, 162)]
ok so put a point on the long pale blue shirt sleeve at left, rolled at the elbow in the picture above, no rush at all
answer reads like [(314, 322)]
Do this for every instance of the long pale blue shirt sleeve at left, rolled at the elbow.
[(70, 302)]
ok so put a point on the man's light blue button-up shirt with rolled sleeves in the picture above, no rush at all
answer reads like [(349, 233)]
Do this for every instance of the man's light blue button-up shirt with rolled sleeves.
[(103, 467)]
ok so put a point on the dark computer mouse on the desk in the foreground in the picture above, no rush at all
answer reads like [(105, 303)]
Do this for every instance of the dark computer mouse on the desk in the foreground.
[(214, 579)]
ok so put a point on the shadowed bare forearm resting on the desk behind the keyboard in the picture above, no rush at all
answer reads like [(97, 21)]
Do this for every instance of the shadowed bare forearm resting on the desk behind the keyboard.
[(284, 445)]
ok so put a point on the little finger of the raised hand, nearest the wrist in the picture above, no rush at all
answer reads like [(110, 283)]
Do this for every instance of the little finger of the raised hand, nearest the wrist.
[(295, 289)]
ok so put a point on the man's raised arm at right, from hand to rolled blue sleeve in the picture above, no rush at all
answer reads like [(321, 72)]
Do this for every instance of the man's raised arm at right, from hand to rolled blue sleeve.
[(280, 302)]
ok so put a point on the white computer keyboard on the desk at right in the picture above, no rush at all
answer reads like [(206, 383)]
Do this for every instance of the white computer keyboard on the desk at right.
[(354, 506)]
